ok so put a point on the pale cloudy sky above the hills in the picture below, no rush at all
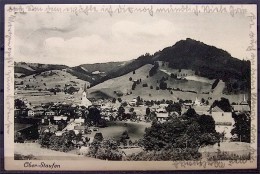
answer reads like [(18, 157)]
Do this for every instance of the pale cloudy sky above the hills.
[(69, 39)]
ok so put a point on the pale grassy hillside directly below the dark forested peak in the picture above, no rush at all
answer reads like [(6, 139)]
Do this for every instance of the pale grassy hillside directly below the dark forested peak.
[(178, 88)]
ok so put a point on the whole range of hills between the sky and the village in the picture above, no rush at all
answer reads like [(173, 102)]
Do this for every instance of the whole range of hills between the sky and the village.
[(189, 68)]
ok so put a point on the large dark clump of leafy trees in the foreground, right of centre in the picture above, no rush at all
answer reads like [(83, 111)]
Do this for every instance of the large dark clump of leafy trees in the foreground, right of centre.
[(178, 139)]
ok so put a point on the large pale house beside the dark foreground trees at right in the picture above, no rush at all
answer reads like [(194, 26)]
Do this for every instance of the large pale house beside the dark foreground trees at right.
[(223, 121)]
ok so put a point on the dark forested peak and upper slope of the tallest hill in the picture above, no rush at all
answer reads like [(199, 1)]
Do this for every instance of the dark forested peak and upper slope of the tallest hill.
[(207, 61)]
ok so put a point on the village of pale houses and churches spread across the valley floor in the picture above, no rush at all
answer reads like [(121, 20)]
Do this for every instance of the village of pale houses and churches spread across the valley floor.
[(91, 119)]
